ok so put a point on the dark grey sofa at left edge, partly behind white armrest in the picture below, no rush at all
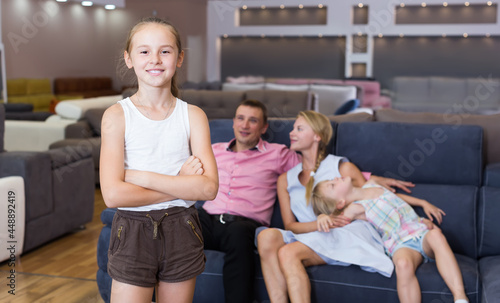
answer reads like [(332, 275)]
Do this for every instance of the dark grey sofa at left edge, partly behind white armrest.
[(59, 189)]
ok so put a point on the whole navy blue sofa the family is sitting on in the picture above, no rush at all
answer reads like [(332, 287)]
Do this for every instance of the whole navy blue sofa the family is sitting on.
[(447, 165)]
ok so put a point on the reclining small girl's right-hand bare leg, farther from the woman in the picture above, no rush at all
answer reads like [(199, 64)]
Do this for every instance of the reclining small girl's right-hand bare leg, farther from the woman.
[(436, 247)]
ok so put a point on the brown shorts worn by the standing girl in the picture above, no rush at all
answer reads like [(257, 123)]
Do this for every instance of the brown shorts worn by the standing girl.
[(162, 245)]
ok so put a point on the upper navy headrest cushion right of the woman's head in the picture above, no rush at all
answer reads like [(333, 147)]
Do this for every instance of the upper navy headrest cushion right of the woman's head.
[(421, 153)]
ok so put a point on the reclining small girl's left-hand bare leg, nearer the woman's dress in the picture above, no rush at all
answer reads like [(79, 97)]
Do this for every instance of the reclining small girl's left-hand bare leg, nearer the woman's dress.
[(406, 261)]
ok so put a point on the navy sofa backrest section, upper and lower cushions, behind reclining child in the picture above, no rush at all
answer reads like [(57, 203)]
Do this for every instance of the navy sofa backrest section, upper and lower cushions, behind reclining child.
[(445, 165)]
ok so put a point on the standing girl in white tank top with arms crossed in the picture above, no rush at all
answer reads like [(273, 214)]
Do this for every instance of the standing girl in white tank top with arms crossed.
[(156, 238)]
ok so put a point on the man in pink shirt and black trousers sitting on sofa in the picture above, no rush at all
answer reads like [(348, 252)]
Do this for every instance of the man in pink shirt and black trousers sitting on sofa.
[(249, 168)]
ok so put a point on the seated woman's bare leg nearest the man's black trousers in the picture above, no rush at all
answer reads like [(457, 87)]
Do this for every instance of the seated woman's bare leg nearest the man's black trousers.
[(269, 242)]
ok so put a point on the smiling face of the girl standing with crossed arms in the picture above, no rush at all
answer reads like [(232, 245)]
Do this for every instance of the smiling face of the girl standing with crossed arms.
[(154, 55)]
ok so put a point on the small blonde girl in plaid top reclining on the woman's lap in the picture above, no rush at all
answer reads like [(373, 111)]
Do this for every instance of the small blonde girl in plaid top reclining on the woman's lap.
[(408, 239)]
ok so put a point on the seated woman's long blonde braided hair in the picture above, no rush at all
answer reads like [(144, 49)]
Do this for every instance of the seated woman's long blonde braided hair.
[(322, 127)]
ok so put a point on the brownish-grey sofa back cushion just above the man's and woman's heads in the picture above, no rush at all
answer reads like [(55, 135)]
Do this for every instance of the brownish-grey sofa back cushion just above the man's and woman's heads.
[(282, 103)]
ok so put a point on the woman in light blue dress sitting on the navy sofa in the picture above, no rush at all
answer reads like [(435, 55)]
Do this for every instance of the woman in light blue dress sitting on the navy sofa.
[(285, 254)]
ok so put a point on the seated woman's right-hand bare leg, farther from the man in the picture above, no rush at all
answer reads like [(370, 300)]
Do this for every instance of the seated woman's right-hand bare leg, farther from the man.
[(294, 258)]
